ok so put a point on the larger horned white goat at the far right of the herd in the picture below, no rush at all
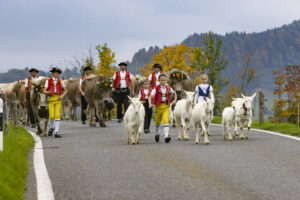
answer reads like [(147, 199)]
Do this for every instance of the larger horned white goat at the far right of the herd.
[(244, 113)]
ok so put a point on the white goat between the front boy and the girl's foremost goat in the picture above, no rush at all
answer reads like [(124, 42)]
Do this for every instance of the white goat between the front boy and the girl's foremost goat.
[(183, 115)]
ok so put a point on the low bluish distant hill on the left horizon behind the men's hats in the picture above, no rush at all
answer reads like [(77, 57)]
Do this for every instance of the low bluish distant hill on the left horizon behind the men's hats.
[(20, 74)]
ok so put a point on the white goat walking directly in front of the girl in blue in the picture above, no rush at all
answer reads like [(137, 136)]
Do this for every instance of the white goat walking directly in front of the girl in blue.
[(201, 116)]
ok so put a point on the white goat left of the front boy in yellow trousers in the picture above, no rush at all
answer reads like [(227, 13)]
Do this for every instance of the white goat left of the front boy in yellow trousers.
[(134, 120)]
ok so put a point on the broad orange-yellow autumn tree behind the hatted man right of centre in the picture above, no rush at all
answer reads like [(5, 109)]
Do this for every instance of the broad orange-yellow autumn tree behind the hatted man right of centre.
[(174, 56)]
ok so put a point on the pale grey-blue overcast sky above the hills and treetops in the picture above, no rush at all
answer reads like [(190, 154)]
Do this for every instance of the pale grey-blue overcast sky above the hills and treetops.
[(38, 33)]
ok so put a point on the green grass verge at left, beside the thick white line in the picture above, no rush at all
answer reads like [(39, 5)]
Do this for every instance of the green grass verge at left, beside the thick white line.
[(14, 163)]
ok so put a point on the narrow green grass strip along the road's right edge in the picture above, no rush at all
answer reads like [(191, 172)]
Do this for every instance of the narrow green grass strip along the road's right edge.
[(286, 128)]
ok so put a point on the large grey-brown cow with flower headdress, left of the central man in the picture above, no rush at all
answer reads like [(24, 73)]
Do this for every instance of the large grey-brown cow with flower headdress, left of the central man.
[(94, 95)]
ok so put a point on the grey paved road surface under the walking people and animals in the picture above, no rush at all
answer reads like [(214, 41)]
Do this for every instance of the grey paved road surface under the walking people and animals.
[(97, 163)]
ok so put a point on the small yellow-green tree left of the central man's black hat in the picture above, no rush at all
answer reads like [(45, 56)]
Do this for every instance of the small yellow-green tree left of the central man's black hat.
[(106, 61)]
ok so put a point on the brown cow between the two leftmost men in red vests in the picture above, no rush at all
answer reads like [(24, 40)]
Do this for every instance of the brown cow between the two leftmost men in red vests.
[(39, 104)]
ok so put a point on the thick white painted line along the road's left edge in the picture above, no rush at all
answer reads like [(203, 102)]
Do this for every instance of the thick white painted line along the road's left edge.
[(43, 182)]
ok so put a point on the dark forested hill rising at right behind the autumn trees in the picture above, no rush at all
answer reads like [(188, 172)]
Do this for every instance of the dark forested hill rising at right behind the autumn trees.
[(272, 49)]
